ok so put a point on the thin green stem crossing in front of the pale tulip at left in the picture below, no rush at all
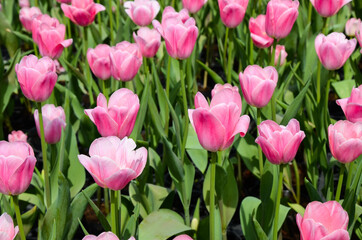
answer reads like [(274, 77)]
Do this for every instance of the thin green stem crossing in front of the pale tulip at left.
[(45, 160)]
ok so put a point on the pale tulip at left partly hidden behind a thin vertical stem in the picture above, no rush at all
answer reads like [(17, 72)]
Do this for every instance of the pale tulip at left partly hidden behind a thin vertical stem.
[(54, 122)]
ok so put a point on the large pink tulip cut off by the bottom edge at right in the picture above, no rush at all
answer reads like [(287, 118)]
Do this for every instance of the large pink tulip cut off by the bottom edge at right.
[(323, 221)]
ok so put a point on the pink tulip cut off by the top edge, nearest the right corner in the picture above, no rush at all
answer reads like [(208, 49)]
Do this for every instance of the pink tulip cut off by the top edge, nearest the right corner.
[(327, 8)]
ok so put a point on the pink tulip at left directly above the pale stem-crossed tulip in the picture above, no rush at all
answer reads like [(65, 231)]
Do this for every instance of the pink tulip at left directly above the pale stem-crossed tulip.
[(37, 78)]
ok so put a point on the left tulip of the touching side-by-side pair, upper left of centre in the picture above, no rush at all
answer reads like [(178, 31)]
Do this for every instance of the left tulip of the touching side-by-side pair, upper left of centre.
[(99, 61)]
